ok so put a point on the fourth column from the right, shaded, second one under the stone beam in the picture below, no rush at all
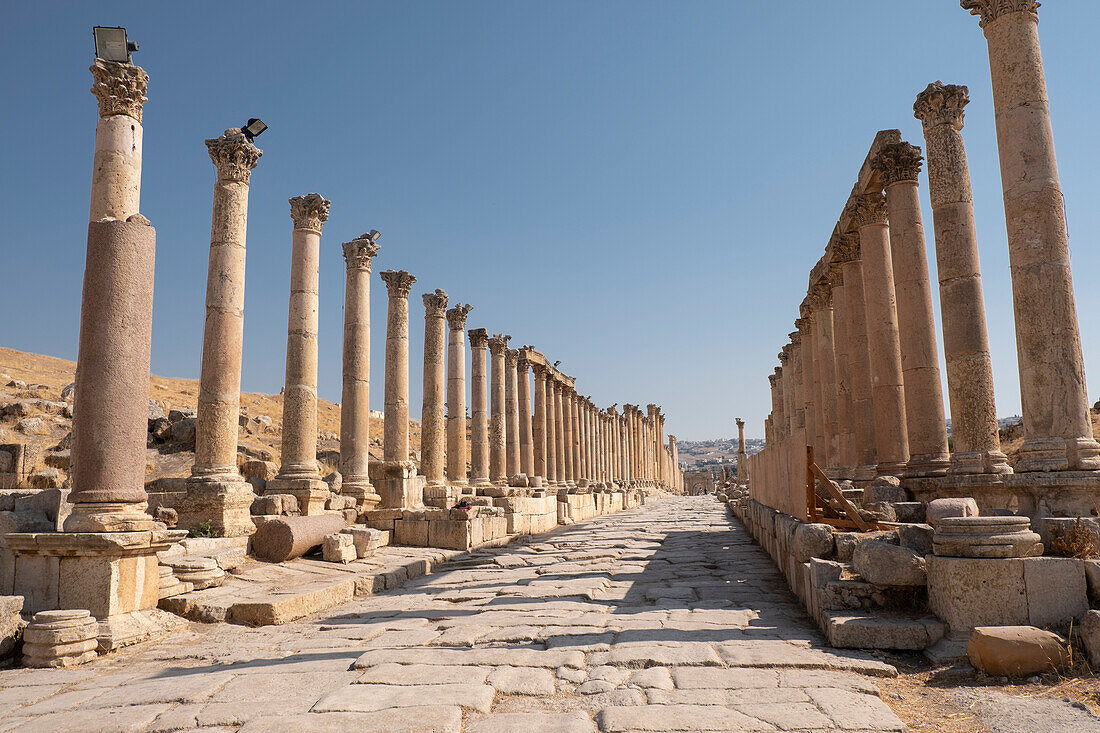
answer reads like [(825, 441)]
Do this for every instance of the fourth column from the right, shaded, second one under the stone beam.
[(892, 444)]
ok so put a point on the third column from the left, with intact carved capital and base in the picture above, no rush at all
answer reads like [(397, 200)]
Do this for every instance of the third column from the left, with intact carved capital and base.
[(299, 474)]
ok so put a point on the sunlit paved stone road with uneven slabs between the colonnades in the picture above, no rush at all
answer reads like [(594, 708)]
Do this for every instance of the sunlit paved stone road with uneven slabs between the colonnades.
[(666, 618)]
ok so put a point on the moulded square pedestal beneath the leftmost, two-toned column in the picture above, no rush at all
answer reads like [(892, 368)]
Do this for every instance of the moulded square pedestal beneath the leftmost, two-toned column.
[(115, 576)]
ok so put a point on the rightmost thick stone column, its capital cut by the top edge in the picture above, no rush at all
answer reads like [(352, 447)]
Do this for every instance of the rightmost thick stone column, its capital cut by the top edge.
[(1058, 428)]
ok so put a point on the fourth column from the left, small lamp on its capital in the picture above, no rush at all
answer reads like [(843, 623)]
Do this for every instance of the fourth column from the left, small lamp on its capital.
[(356, 400)]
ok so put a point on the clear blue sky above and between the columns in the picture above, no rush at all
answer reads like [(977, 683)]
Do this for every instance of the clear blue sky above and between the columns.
[(637, 189)]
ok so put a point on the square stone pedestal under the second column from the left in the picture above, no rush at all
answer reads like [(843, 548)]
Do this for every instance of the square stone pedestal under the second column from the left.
[(222, 506)]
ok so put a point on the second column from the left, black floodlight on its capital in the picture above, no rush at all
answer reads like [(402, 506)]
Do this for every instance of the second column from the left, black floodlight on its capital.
[(216, 491)]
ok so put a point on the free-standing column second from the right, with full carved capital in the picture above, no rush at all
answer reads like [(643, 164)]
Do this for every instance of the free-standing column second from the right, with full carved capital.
[(977, 446)]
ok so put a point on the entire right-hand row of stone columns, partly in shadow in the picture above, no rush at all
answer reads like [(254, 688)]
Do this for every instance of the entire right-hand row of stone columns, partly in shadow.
[(866, 355)]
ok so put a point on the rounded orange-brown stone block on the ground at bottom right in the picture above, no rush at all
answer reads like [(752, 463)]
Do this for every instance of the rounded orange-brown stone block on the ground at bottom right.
[(1016, 651)]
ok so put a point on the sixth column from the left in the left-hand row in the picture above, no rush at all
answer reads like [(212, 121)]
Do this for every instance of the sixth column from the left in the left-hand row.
[(434, 410)]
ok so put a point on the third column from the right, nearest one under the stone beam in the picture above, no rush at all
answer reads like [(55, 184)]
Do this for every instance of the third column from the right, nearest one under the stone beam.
[(900, 165)]
